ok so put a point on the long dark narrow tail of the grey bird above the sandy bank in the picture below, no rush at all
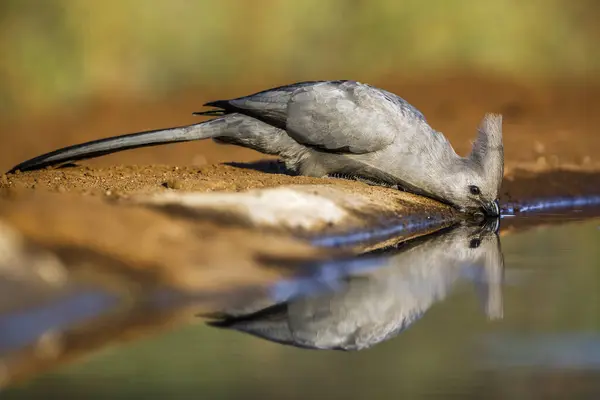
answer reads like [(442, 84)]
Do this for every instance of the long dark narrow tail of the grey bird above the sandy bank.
[(115, 144)]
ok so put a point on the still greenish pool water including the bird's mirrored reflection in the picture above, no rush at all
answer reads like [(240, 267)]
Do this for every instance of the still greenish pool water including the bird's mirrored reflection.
[(456, 315)]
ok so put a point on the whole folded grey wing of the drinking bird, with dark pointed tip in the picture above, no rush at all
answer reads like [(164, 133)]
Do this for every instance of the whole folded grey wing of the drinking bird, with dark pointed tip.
[(335, 116)]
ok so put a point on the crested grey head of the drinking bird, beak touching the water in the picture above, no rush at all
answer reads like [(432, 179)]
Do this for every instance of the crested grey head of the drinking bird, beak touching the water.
[(475, 184)]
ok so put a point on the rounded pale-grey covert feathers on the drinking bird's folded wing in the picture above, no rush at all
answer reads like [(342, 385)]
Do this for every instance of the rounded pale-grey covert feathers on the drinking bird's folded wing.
[(349, 117)]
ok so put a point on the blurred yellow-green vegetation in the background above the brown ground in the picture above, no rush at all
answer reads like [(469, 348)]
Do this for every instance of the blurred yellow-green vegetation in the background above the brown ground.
[(64, 50)]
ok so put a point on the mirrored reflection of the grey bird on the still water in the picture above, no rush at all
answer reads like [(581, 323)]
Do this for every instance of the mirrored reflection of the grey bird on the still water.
[(355, 304)]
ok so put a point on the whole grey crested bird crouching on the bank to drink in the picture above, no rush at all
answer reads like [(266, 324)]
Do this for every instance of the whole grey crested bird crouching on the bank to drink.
[(336, 128)]
